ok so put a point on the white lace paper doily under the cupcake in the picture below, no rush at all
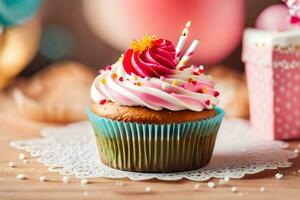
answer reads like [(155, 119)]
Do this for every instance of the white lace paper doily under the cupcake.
[(71, 150)]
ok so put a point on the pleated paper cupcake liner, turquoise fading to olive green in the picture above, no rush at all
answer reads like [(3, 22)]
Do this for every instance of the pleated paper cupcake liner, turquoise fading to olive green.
[(155, 147)]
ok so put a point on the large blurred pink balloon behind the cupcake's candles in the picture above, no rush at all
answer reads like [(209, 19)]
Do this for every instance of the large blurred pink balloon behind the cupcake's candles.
[(218, 25)]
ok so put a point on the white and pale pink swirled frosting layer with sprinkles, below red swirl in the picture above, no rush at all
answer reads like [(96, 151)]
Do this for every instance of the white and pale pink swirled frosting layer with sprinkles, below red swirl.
[(179, 91)]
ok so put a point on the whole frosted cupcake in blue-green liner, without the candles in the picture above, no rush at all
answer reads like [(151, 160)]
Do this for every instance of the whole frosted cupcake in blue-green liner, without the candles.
[(151, 114)]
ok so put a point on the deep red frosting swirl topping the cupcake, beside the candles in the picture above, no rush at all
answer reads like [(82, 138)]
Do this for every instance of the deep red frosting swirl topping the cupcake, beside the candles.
[(159, 60)]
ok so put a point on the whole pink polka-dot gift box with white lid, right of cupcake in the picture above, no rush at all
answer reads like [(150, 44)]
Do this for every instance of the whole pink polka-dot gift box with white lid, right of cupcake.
[(272, 62)]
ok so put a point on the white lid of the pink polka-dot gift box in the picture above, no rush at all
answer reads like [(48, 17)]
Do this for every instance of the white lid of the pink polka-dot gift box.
[(258, 45)]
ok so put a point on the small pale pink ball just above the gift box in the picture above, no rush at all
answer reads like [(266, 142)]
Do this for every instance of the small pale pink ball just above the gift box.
[(275, 17)]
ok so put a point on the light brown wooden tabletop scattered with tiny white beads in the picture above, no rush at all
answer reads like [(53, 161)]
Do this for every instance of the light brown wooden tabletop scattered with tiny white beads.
[(14, 127)]
